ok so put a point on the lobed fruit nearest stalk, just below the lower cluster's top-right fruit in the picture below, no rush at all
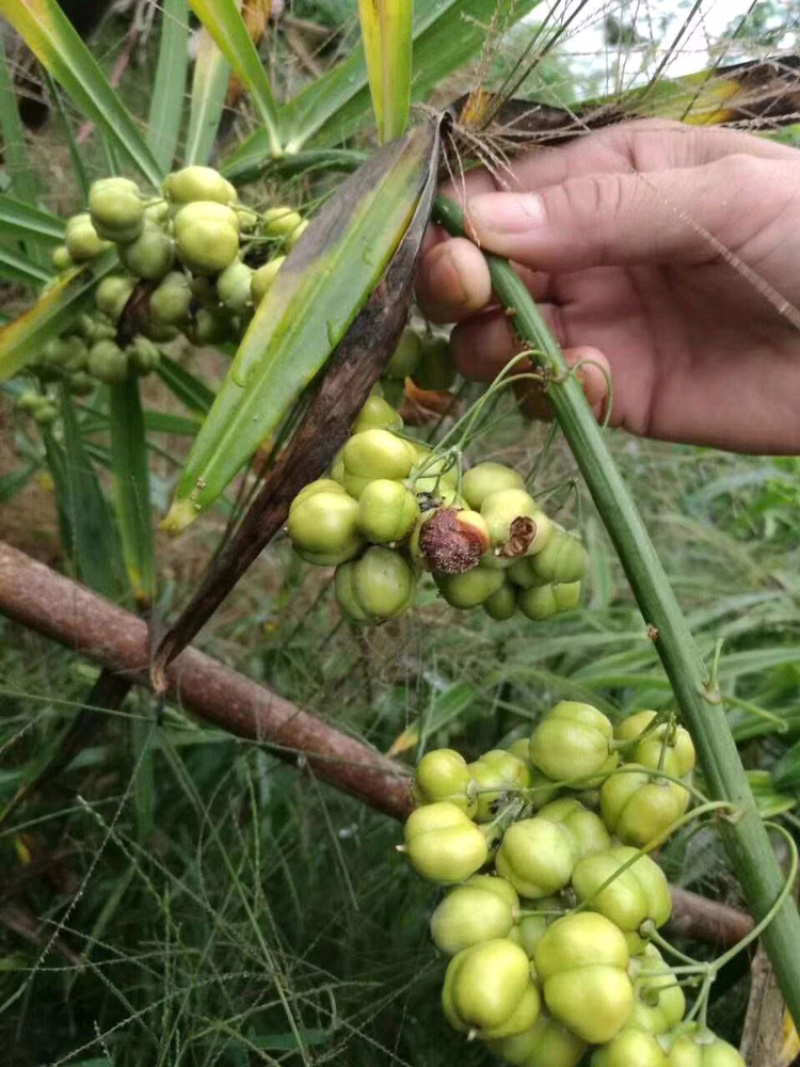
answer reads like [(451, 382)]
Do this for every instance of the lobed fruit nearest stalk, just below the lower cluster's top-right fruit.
[(638, 808)]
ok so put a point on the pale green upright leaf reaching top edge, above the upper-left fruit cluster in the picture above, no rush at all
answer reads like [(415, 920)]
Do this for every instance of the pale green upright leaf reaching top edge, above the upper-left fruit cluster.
[(167, 107)]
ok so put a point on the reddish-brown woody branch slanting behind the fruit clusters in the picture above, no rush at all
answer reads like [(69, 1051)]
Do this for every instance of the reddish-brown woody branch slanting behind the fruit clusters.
[(59, 609)]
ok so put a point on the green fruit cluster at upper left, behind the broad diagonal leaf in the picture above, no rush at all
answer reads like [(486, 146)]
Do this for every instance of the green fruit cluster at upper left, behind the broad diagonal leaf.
[(190, 261)]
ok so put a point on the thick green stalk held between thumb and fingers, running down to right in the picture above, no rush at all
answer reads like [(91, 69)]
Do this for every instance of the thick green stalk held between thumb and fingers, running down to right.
[(746, 838)]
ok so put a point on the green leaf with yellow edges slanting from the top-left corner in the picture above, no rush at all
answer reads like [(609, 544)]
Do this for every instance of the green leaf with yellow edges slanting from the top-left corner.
[(56, 44)]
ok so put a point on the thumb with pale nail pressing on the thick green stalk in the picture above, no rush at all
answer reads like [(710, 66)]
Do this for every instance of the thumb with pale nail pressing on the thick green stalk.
[(620, 219)]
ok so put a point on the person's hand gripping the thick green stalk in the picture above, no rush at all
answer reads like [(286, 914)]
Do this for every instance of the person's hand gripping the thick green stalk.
[(665, 253)]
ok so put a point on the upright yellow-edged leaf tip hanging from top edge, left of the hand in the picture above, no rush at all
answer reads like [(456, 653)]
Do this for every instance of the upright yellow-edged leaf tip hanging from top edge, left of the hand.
[(387, 33)]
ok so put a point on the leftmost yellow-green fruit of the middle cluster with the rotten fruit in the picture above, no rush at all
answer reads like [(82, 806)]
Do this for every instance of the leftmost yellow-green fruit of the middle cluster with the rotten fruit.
[(324, 529)]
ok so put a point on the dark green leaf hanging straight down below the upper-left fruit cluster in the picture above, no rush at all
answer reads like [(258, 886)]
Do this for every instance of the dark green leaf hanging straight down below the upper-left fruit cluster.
[(133, 488)]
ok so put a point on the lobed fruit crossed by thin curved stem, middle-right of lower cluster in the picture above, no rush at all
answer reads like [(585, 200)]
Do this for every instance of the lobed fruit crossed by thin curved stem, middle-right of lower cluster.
[(633, 896)]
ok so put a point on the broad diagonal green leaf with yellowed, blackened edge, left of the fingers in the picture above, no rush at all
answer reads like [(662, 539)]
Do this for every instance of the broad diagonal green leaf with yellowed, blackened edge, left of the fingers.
[(316, 296)]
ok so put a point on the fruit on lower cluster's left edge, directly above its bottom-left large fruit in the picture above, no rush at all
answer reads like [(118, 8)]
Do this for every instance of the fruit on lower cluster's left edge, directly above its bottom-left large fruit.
[(471, 914)]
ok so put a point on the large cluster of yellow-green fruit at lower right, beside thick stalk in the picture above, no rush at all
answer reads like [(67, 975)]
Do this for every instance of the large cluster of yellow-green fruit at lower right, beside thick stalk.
[(552, 951)]
